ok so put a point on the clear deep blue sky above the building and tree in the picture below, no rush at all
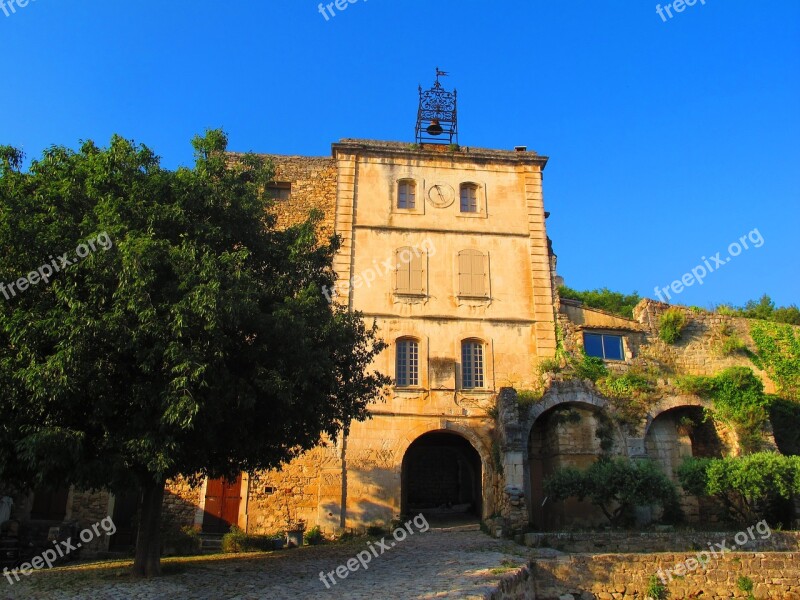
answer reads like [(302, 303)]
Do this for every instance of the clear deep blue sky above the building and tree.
[(667, 141)]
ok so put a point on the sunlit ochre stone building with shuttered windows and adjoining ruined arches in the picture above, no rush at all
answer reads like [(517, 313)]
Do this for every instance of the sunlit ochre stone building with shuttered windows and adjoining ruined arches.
[(445, 248)]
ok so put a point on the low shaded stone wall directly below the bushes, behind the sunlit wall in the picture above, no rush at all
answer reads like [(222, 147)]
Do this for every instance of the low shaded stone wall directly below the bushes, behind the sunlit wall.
[(648, 542)]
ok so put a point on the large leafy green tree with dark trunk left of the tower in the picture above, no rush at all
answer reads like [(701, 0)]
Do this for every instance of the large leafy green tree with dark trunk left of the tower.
[(200, 343)]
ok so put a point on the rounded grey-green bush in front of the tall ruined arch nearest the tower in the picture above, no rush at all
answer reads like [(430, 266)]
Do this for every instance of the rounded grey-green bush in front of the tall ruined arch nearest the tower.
[(616, 487)]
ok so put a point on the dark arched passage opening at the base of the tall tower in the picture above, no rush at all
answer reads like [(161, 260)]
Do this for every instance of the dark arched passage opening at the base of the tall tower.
[(442, 478)]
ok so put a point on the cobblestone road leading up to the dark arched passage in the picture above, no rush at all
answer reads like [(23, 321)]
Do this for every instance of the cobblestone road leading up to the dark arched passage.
[(435, 564)]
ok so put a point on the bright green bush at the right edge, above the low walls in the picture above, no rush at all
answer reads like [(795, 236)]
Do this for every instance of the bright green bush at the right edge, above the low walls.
[(749, 488)]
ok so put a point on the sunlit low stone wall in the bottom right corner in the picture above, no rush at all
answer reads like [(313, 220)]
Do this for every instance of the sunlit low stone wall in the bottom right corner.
[(625, 576)]
